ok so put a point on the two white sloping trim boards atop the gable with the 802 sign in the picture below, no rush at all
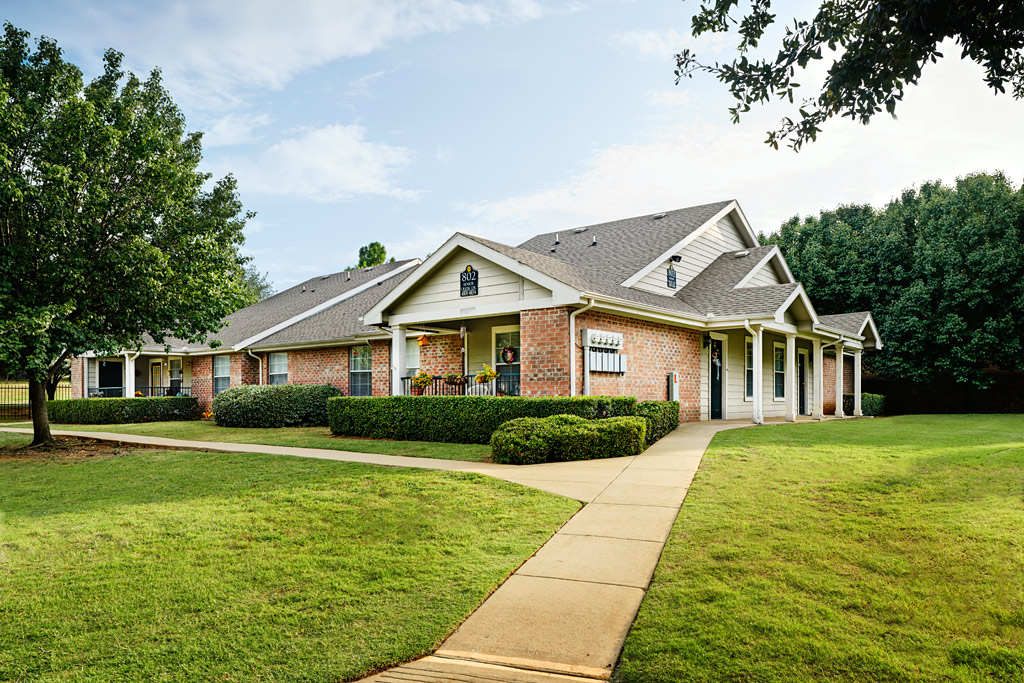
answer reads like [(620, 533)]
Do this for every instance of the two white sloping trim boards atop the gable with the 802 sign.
[(562, 293)]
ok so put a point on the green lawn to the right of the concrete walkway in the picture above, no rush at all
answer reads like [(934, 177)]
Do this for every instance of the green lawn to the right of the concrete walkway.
[(871, 550)]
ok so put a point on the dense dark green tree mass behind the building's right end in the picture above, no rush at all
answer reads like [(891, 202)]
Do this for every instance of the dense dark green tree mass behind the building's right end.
[(942, 269)]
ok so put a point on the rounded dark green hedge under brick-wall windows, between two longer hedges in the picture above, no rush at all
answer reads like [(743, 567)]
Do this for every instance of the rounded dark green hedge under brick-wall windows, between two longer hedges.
[(274, 406)]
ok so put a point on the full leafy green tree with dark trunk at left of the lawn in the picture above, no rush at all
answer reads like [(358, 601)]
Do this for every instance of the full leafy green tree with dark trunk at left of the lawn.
[(107, 234)]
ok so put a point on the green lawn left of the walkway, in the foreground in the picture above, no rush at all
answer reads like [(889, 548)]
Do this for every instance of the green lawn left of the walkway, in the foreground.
[(182, 566)]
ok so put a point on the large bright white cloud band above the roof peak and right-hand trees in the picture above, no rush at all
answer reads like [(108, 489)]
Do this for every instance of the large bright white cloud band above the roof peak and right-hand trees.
[(950, 126)]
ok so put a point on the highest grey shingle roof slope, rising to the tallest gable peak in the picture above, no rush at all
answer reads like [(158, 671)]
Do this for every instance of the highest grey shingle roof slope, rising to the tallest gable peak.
[(624, 247)]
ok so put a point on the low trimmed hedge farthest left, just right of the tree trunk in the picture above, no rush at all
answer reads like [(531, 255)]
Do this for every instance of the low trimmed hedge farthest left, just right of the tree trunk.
[(122, 411)]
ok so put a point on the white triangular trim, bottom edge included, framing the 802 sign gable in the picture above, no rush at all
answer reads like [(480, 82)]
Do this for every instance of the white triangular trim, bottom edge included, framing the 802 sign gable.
[(562, 293)]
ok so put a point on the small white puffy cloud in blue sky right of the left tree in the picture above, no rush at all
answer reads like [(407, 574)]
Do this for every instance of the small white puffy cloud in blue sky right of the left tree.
[(329, 164)]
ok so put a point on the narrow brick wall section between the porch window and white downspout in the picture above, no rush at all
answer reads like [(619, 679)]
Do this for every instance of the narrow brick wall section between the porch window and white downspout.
[(544, 336)]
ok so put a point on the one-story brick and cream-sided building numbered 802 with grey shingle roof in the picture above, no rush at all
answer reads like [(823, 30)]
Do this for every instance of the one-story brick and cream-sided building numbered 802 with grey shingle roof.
[(684, 305)]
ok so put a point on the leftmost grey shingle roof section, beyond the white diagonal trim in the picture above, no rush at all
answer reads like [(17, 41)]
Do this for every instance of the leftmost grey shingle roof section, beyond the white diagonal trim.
[(265, 315)]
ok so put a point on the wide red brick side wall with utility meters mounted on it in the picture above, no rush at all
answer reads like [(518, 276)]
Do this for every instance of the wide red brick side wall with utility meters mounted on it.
[(654, 351)]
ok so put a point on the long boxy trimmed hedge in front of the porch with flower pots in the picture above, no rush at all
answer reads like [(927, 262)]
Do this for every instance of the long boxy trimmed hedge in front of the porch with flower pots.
[(457, 419)]
